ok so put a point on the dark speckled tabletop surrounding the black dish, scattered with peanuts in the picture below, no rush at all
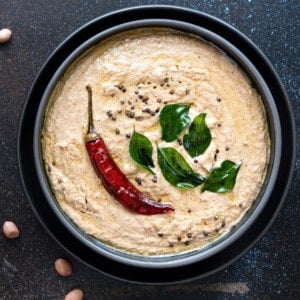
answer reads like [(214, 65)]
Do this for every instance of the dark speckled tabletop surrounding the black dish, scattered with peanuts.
[(270, 270)]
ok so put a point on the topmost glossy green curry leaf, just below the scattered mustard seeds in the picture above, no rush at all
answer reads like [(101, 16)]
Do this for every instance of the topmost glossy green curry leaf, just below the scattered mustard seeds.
[(173, 119)]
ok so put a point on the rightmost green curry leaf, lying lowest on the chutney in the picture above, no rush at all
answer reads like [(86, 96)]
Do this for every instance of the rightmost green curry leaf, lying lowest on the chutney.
[(222, 179)]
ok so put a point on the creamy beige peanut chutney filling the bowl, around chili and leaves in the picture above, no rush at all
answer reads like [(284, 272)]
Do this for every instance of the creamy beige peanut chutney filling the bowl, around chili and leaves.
[(134, 75)]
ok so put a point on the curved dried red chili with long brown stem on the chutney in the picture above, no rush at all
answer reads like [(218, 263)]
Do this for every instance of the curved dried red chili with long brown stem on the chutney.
[(114, 181)]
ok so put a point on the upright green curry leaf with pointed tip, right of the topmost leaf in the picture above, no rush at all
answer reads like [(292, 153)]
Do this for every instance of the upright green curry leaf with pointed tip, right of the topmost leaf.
[(199, 137)]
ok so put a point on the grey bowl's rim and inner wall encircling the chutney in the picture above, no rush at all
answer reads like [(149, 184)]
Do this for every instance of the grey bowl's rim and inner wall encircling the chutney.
[(218, 245)]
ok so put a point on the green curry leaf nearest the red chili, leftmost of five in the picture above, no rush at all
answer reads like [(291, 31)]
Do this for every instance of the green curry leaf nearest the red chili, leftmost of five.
[(140, 149)]
